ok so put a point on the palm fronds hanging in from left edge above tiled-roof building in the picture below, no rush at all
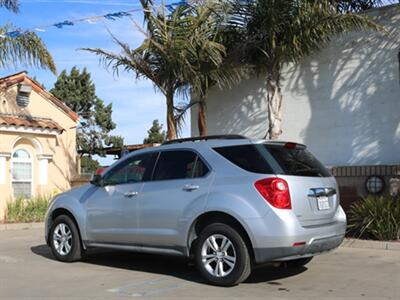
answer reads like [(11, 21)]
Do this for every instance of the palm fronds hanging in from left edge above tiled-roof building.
[(25, 48)]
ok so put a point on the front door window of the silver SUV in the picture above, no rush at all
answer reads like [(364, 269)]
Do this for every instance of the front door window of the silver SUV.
[(135, 169)]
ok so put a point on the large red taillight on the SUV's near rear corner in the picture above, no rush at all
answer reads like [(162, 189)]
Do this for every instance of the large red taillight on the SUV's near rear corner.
[(275, 191)]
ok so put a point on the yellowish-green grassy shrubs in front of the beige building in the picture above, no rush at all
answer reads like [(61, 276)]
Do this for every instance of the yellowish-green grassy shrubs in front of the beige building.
[(27, 210)]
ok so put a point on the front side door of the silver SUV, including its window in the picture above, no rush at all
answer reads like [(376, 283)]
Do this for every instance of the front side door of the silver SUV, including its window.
[(112, 210)]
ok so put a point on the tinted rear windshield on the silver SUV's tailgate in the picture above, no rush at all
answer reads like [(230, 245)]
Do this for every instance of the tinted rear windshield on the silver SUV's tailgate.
[(297, 161)]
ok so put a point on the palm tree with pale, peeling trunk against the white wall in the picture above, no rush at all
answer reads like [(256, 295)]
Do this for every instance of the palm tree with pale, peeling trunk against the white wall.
[(275, 33)]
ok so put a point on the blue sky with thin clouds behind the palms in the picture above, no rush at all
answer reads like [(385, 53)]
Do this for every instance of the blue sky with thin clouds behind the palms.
[(135, 103)]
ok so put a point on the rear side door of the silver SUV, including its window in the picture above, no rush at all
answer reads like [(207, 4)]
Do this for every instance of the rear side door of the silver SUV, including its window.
[(179, 187)]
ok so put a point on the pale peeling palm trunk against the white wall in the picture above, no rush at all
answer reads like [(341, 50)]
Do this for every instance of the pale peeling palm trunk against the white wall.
[(274, 102)]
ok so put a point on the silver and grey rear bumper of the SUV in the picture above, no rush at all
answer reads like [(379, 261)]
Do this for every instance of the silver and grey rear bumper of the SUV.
[(278, 236)]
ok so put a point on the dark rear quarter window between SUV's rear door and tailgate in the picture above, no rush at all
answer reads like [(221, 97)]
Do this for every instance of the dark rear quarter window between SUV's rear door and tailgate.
[(246, 157)]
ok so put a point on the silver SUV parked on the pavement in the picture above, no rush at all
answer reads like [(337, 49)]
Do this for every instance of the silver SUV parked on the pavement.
[(228, 202)]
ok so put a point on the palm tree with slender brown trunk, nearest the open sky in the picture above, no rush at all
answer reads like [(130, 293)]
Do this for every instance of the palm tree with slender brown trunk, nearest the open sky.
[(161, 57)]
